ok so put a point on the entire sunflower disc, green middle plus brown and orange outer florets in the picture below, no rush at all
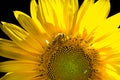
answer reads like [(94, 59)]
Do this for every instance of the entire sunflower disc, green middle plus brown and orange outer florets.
[(69, 59)]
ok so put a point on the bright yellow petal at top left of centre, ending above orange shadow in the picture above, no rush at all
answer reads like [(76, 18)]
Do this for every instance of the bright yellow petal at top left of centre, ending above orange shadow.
[(46, 14)]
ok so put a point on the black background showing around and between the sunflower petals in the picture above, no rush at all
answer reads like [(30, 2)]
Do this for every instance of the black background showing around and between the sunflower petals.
[(8, 6)]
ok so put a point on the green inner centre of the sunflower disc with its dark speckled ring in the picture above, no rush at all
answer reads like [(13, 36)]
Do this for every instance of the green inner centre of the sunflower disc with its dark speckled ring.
[(69, 64)]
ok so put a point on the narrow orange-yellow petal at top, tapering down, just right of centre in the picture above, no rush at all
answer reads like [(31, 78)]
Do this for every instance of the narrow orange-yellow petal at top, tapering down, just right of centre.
[(70, 11)]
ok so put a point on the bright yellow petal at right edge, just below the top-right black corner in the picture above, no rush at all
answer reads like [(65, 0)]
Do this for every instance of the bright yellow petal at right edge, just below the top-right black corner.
[(109, 26)]
